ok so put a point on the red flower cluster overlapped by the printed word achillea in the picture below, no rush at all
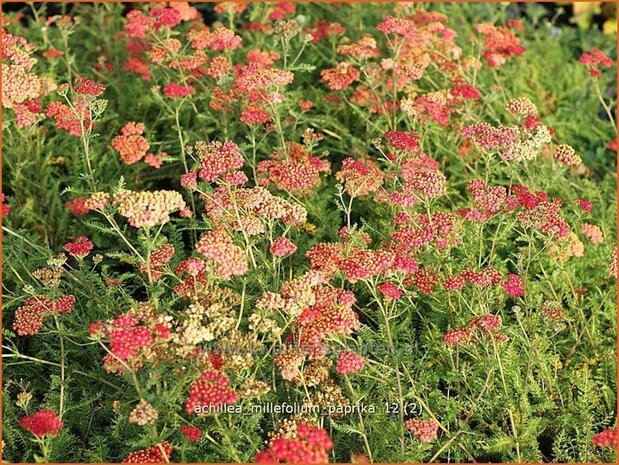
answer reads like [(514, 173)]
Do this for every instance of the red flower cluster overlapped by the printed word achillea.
[(209, 393)]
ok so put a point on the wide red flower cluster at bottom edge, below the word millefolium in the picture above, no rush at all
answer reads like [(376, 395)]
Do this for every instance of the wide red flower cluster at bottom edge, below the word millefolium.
[(310, 445)]
